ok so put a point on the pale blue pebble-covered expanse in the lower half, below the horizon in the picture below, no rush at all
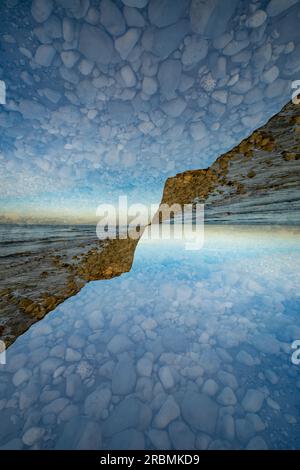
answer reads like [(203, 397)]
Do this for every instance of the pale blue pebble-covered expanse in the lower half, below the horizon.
[(190, 350)]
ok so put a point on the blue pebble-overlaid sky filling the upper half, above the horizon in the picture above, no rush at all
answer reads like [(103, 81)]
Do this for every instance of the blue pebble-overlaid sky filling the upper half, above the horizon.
[(110, 98)]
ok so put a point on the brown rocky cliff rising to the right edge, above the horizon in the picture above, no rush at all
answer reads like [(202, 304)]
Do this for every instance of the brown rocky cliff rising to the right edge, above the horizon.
[(256, 182)]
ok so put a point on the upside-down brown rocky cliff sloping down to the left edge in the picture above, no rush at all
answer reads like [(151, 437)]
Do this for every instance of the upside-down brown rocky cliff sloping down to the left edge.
[(57, 274)]
